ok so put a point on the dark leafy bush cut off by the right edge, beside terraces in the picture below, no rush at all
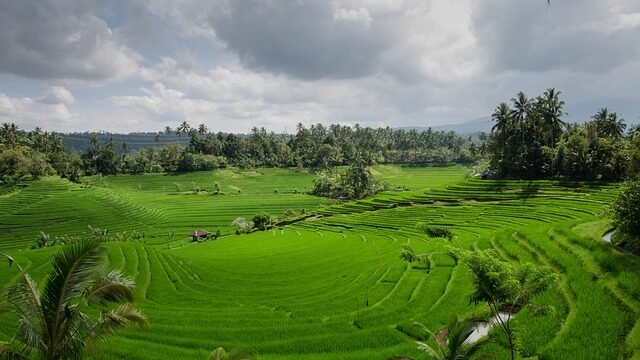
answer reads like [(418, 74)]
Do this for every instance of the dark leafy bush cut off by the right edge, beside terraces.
[(626, 217)]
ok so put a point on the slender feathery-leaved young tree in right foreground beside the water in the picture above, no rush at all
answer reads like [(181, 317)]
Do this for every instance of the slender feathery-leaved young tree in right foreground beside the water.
[(504, 286)]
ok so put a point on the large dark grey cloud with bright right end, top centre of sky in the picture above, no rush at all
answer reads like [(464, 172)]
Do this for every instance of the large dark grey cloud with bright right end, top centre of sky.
[(340, 39)]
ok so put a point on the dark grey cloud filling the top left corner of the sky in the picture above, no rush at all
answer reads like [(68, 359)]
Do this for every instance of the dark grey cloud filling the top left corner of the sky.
[(58, 39)]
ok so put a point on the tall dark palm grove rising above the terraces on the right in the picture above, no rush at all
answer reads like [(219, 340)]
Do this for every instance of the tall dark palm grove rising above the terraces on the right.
[(530, 140)]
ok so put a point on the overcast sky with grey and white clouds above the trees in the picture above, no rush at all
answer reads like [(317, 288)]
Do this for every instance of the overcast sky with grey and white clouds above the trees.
[(126, 66)]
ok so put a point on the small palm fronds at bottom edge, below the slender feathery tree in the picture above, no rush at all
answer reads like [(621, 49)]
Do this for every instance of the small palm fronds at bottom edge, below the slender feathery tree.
[(457, 345)]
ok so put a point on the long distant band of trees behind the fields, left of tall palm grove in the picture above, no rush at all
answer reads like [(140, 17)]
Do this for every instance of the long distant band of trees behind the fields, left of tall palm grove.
[(37, 153)]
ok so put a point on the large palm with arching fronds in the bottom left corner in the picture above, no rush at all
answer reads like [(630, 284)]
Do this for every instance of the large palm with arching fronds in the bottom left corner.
[(53, 324)]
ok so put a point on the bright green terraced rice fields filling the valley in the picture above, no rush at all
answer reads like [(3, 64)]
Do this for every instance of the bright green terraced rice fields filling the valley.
[(333, 286)]
